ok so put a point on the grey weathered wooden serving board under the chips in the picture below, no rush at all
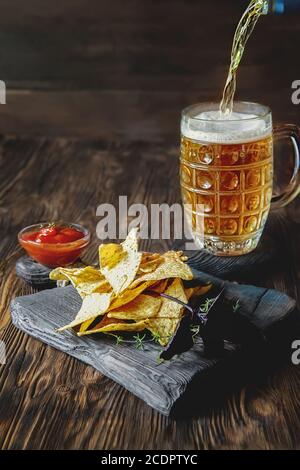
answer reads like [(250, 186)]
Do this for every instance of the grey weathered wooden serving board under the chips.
[(160, 385)]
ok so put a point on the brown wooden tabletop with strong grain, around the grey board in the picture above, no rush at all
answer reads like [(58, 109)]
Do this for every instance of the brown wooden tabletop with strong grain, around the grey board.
[(49, 400)]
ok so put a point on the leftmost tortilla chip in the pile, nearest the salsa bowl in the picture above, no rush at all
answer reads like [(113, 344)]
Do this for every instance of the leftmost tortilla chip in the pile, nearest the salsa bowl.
[(86, 280)]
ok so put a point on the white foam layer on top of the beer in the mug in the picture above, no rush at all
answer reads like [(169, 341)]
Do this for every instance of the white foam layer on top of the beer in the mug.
[(235, 128)]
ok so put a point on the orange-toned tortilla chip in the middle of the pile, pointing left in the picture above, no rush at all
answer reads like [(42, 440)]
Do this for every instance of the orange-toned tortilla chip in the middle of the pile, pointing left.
[(142, 307)]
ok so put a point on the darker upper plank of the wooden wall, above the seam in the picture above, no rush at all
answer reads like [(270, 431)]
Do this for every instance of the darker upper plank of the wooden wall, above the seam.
[(139, 45)]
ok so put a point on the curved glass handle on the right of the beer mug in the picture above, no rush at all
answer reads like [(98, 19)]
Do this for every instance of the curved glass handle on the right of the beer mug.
[(292, 190)]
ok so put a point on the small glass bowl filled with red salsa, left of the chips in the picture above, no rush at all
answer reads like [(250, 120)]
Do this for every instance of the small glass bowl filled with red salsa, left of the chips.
[(54, 244)]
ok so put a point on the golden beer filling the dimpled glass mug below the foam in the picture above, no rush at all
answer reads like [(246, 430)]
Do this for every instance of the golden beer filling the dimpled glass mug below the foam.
[(227, 186)]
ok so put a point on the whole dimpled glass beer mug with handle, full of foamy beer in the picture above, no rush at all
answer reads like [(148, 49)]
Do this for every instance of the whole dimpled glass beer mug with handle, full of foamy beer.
[(226, 174)]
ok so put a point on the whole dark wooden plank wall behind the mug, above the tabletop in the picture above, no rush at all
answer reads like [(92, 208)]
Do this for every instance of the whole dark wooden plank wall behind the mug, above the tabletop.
[(128, 67)]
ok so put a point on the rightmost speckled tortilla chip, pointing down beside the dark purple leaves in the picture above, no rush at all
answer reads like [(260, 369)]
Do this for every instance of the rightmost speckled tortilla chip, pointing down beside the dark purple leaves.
[(170, 313)]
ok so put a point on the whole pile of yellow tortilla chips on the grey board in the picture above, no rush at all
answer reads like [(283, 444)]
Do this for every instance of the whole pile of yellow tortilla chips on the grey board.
[(122, 295)]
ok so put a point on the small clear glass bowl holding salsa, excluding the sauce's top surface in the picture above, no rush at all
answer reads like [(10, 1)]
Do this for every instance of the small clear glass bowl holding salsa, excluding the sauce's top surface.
[(54, 254)]
